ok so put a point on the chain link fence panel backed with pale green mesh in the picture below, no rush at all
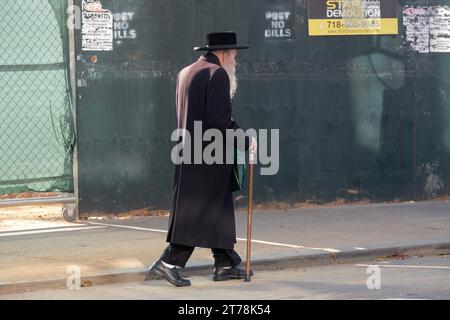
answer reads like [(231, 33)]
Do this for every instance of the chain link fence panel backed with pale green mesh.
[(36, 123)]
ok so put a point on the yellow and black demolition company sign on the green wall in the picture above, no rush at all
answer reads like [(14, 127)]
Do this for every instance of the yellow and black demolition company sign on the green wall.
[(352, 17)]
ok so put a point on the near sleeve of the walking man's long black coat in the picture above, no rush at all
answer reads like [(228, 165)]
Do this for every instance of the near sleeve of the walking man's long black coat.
[(218, 104)]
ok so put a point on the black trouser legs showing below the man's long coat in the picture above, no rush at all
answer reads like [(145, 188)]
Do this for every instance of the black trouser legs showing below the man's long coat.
[(178, 255)]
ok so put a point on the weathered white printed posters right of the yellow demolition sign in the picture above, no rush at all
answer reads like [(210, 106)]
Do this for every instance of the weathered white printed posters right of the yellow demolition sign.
[(427, 28)]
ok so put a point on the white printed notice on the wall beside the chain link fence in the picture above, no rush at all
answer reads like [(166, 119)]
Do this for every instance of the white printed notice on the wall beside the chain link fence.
[(96, 27)]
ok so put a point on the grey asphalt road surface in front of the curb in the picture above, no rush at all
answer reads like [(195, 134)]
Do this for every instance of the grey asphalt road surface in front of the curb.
[(410, 278)]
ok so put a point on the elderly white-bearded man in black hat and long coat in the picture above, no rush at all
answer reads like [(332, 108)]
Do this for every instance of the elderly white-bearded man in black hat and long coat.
[(202, 211)]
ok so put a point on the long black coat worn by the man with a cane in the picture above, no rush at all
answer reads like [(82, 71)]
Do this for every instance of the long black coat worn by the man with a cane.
[(202, 211)]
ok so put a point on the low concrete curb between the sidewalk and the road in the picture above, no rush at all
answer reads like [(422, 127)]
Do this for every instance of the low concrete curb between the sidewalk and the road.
[(266, 264)]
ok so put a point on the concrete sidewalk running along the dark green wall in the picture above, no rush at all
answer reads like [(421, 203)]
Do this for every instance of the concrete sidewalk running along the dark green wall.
[(120, 250)]
